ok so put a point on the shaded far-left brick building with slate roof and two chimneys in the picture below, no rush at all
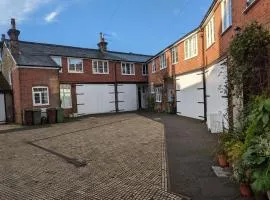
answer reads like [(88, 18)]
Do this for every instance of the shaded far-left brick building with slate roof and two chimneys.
[(80, 80)]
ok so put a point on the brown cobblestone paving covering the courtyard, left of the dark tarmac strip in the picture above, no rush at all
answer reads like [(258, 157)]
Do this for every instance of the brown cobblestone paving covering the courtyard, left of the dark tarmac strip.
[(105, 157)]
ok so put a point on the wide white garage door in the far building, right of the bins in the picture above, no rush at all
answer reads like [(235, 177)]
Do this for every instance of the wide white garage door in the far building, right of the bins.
[(95, 98)]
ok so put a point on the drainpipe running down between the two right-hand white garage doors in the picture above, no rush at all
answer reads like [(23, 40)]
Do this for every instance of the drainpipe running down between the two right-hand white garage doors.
[(204, 78)]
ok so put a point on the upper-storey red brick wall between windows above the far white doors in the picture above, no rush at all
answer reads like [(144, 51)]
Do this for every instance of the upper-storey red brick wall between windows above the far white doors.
[(88, 77)]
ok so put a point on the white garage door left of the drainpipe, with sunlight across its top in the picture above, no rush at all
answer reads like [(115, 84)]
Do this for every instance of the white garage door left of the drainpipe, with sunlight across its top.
[(189, 95)]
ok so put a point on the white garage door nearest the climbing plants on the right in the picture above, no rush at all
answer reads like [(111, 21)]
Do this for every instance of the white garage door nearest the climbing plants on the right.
[(217, 102)]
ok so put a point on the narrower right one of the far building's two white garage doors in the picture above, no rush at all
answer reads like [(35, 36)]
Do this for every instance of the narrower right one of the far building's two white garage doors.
[(127, 97)]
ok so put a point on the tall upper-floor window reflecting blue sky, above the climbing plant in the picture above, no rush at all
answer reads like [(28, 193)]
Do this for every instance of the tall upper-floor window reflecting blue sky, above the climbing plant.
[(226, 11)]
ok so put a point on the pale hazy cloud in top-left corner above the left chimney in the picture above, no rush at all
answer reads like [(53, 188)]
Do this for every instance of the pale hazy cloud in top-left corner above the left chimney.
[(18, 9)]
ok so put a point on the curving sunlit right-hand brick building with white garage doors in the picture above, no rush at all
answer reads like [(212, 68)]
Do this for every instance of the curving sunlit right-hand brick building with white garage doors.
[(195, 65)]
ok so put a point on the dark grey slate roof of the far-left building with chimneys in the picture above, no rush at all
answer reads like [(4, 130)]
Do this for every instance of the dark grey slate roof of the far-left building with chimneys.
[(39, 54)]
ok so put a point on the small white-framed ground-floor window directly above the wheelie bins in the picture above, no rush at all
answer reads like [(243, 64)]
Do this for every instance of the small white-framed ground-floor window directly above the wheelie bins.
[(40, 96)]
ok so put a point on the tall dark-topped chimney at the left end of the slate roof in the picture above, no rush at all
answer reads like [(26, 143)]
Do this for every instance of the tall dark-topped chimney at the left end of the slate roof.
[(13, 34)]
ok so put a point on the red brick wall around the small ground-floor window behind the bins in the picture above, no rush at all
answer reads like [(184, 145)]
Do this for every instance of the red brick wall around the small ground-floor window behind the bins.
[(23, 81)]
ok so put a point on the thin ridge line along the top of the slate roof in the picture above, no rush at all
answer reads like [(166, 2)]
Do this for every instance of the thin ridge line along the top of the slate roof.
[(83, 48)]
